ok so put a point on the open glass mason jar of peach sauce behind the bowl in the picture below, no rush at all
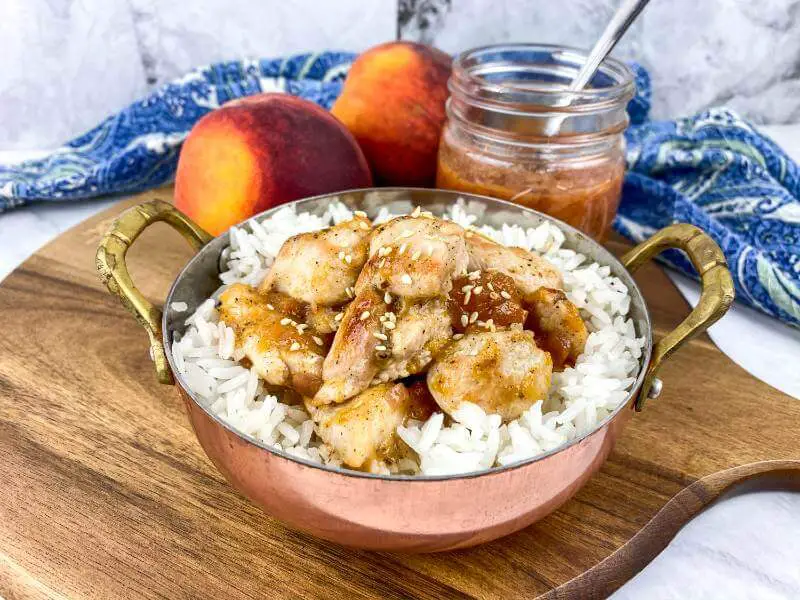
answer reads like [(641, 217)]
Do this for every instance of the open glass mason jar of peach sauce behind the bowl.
[(514, 132)]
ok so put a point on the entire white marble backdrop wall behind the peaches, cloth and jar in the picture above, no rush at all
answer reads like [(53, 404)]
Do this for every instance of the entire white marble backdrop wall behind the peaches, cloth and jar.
[(65, 64)]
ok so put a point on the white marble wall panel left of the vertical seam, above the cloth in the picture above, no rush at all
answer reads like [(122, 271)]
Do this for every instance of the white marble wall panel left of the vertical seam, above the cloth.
[(67, 64)]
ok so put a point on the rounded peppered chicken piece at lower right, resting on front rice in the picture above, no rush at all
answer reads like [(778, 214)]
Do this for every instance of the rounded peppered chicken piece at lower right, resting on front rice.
[(503, 372)]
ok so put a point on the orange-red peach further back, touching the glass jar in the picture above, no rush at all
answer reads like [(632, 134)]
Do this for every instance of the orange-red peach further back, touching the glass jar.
[(393, 101)]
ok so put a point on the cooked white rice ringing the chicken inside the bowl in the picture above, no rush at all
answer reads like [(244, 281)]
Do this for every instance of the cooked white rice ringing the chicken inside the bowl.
[(579, 397)]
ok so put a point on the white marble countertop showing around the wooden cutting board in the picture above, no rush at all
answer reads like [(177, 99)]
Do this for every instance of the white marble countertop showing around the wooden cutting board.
[(746, 546)]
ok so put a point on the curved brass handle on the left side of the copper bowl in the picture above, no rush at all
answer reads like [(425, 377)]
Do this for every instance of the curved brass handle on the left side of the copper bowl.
[(114, 274)]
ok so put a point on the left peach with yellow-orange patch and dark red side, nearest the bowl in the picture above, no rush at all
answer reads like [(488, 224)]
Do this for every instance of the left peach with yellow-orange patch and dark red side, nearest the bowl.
[(258, 152)]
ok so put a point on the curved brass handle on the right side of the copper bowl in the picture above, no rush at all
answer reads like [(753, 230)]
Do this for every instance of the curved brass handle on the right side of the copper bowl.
[(715, 298)]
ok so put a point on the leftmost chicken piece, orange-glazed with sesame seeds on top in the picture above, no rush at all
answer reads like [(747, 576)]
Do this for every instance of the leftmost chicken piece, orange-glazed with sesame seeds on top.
[(283, 352)]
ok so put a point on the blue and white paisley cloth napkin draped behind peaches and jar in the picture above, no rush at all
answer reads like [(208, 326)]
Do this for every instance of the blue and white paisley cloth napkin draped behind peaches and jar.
[(713, 169)]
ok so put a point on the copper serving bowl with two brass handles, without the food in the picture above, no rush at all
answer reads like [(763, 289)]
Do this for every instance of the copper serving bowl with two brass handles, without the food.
[(424, 513)]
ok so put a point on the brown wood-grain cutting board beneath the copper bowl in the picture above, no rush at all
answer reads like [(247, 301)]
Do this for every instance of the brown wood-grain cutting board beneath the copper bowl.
[(105, 492)]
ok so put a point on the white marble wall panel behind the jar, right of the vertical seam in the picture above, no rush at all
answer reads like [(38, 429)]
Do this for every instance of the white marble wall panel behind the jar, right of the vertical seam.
[(700, 53)]
